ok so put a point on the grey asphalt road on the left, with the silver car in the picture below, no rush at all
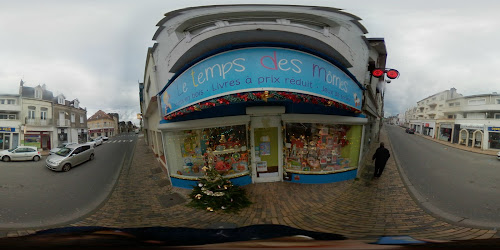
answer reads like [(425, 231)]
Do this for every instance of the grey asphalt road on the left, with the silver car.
[(33, 196)]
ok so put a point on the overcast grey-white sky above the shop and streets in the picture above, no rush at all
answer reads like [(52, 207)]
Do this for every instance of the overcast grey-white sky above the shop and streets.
[(96, 50)]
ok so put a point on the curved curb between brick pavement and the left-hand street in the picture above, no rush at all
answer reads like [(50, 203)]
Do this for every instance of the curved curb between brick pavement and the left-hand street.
[(69, 222)]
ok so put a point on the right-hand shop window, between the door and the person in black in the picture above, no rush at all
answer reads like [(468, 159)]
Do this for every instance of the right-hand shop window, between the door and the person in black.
[(321, 148)]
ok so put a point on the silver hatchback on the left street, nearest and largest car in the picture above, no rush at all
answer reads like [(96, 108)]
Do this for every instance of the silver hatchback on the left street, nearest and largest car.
[(69, 157)]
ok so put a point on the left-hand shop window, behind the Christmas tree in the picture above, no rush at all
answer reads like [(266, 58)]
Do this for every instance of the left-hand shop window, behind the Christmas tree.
[(190, 152)]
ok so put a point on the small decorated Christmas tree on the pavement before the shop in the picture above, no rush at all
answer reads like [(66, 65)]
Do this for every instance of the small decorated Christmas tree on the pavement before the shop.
[(215, 192)]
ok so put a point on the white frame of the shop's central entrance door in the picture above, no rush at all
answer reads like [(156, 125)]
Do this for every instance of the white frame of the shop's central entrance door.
[(264, 122)]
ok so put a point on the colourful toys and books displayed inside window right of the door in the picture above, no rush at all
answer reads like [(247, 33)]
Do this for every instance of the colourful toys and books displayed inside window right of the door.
[(315, 147)]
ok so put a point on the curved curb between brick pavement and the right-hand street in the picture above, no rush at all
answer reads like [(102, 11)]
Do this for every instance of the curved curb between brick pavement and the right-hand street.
[(433, 210)]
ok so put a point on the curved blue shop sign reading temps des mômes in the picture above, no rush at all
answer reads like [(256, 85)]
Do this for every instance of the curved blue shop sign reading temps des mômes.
[(260, 69)]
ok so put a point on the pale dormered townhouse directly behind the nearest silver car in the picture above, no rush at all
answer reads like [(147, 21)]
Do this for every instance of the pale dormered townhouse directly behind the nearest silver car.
[(71, 120)]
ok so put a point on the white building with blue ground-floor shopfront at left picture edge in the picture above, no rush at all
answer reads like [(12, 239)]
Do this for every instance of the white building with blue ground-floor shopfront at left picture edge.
[(10, 120)]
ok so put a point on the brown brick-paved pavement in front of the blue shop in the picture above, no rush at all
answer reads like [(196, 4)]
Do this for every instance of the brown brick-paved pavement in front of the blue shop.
[(364, 208)]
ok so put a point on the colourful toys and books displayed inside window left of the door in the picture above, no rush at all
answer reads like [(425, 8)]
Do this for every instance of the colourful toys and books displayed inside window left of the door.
[(223, 148)]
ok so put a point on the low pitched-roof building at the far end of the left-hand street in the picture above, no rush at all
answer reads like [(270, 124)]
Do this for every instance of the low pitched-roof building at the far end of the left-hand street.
[(102, 124)]
